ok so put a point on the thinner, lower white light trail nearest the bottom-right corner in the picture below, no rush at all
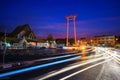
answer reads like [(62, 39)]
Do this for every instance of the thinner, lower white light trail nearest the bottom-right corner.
[(73, 74)]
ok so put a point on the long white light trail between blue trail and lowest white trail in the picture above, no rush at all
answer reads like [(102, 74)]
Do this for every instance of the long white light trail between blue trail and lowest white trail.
[(71, 67)]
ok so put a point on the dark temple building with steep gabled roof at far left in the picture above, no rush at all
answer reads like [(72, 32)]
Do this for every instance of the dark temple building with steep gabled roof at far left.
[(22, 35)]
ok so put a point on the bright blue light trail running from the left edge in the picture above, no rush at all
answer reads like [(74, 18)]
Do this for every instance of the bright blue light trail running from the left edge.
[(37, 67)]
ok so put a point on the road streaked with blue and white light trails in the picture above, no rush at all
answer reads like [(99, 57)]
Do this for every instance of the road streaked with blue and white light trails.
[(103, 65)]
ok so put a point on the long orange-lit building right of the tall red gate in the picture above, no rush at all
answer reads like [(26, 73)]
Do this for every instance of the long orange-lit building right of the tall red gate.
[(104, 40)]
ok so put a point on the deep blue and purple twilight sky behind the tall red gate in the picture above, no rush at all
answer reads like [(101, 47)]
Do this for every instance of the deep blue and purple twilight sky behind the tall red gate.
[(94, 17)]
